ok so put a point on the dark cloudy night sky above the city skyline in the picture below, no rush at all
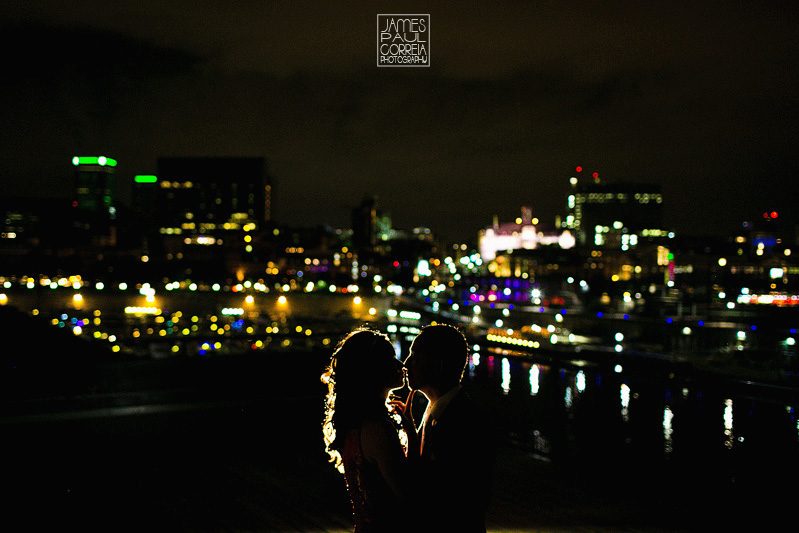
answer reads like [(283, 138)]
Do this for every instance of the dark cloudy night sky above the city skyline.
[(699, 96)]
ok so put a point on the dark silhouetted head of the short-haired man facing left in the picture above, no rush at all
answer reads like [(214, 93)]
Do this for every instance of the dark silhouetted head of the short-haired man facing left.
[(438, 357)]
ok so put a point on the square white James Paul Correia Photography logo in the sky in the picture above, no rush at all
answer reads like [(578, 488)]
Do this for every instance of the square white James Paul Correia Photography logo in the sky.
[(403, 40)]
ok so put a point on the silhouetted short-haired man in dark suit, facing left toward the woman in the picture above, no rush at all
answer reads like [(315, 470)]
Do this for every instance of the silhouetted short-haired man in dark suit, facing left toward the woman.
[(457, 448)]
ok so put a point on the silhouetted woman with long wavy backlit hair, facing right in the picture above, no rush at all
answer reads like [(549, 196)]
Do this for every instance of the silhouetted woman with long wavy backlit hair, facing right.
[(361, 436)]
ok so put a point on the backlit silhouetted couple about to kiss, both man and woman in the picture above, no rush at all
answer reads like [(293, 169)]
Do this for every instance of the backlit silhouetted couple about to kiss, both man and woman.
[(439, 479)]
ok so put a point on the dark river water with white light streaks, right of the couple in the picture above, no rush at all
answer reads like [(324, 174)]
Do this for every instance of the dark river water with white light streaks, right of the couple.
[(725, 449)]
